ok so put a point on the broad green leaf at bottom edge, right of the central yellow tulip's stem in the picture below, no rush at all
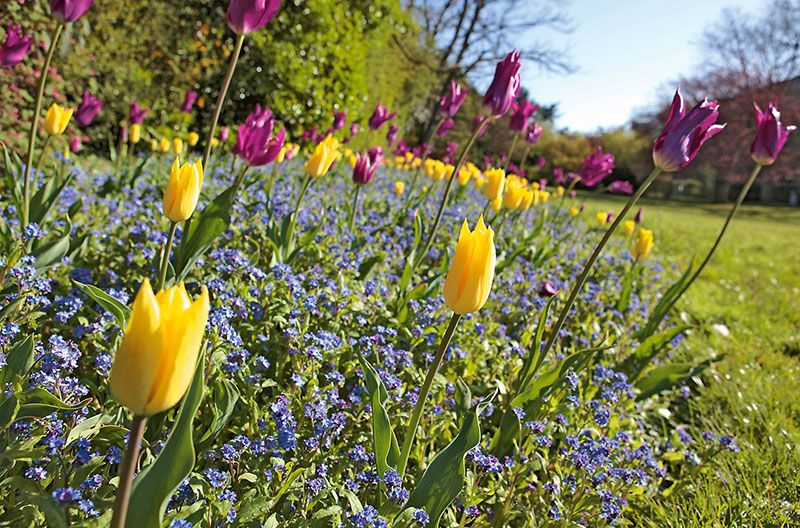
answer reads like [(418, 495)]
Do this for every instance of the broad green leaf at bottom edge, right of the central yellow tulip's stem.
[(443, 479)]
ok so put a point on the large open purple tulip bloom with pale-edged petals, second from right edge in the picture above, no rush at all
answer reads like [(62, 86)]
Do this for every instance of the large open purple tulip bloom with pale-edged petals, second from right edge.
[(684, 133)]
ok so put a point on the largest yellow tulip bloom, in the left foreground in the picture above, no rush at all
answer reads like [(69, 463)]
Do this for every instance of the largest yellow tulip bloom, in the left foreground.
[(157, 358)]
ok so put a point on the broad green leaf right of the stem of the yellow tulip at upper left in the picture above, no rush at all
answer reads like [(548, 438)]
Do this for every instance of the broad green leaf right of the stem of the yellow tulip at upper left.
[(204, 229)]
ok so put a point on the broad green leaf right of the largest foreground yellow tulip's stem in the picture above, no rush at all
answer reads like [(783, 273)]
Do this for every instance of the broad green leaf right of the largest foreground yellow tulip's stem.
[(157, 482)]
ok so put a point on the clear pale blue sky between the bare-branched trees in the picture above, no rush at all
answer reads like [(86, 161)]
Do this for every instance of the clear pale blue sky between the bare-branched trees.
[(625, 51)]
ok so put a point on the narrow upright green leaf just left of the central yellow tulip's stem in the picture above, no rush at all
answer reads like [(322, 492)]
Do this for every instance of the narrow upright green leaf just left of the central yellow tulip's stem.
[(384, 440)]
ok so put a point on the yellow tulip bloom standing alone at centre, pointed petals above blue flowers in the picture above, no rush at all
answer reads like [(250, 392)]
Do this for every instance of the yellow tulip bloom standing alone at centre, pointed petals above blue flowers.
[(469, 280)]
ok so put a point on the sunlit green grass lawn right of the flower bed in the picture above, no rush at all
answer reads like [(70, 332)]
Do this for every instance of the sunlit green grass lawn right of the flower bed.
[(752, 286)]
